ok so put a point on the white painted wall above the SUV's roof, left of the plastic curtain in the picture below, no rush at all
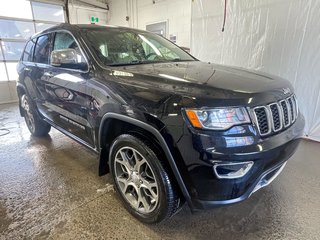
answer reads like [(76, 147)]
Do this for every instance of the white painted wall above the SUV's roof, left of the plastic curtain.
[(143, 12)]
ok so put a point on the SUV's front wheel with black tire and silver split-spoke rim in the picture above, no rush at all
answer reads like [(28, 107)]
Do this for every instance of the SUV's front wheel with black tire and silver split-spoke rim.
[(141, 180)]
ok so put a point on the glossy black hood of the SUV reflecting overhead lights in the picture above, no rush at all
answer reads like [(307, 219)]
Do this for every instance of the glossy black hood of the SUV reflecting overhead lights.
[(207, 84)]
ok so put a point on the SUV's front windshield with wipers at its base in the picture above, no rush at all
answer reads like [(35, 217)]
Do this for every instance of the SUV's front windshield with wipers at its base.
[(115, 47)]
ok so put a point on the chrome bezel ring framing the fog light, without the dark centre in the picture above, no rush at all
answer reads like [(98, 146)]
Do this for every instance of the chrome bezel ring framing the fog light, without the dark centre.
[(237, 174)]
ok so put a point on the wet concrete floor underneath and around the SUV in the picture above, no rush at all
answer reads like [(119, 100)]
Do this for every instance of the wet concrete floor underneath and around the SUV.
[(49, 189)]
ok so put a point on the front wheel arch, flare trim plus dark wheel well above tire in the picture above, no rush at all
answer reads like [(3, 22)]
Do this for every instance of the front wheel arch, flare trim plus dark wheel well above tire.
[(121, 124)]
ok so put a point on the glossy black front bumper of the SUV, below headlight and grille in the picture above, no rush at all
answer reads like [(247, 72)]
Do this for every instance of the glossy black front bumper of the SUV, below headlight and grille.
[(269, 156)]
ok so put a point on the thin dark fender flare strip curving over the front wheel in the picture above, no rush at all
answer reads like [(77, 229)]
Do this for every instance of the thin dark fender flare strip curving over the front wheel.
[(160, 139)]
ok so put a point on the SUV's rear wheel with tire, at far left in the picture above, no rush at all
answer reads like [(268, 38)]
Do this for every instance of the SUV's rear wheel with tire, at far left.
[(37, 126)]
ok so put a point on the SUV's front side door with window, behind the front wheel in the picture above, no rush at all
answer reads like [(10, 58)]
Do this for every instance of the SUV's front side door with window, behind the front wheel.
[(66, 103)]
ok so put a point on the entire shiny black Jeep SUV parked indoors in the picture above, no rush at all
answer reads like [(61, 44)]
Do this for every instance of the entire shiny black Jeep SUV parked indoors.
[(169, 128)]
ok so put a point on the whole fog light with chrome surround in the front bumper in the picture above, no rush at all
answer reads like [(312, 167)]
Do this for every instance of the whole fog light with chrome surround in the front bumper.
[(231, 170)]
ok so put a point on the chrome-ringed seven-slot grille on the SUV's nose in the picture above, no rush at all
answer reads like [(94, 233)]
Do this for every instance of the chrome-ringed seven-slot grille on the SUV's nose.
[(276, 116)]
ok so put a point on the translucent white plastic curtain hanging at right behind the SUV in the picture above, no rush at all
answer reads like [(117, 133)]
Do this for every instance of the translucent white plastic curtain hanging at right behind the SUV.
[(280, 37)]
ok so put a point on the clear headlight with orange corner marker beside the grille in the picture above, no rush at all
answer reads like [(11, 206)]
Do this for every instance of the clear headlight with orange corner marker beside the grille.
[(217, 118)]
